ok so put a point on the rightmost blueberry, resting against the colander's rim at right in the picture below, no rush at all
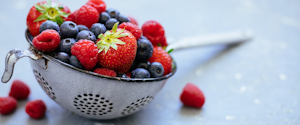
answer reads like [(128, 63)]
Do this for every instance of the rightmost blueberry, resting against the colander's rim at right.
[(156, 69)]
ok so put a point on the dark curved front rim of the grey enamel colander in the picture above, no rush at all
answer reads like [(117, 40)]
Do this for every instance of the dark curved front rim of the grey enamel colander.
[(139, 80)]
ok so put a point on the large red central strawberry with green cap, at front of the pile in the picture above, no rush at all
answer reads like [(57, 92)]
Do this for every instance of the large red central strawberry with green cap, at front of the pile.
[(117, 49)]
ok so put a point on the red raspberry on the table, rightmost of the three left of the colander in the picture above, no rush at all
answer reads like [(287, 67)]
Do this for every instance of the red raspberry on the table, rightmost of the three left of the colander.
[(35, 109)]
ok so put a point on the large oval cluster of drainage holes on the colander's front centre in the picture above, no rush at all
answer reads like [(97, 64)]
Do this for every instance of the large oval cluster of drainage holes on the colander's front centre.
[(92, 104)]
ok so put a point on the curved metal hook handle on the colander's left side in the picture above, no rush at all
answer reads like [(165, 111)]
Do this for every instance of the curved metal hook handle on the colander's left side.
[(12, 57)]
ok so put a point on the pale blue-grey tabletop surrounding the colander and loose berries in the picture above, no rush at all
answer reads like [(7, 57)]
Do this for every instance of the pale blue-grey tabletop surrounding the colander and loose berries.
[(256, 83)]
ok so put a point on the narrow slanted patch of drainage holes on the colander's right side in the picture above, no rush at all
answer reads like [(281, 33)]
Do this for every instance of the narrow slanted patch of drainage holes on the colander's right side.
[(134, 106)]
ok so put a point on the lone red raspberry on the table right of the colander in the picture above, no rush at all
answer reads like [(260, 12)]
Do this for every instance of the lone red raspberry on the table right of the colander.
[(192, 96)]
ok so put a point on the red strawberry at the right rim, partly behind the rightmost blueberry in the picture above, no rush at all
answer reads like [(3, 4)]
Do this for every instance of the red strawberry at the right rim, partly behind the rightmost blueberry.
[(160, 55)]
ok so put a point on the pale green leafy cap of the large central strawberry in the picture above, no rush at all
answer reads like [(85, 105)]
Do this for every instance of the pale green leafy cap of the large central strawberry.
[(110, 39)]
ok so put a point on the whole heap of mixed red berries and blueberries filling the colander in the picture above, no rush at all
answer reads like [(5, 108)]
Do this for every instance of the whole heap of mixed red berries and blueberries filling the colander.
[(100, 40)]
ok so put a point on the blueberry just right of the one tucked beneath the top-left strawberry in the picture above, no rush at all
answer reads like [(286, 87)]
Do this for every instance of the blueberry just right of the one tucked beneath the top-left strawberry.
[(68, 29)]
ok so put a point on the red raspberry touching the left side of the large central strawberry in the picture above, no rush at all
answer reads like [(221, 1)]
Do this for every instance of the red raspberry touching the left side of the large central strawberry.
[(86, 52)]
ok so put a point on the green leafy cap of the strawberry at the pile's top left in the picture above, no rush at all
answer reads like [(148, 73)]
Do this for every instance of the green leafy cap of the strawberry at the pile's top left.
[(51, 11)]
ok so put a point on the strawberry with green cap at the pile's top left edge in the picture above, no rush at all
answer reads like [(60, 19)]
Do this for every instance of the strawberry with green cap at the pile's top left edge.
[(43, 11)]
